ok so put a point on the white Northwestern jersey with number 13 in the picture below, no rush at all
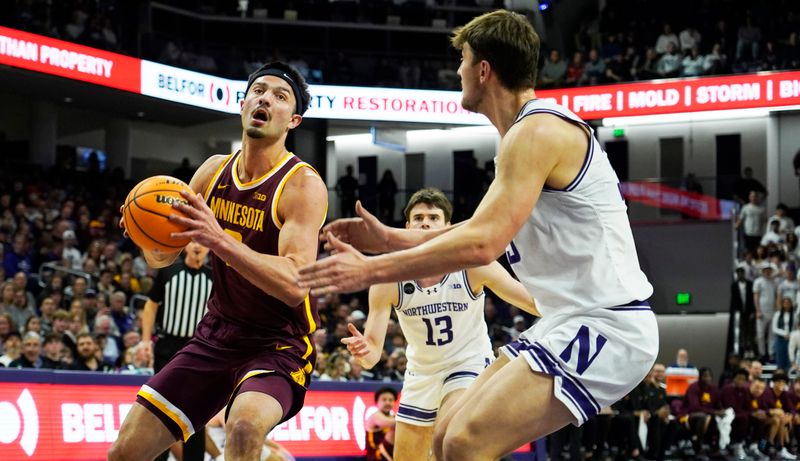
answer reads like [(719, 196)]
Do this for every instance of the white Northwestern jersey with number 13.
[(443, 323)]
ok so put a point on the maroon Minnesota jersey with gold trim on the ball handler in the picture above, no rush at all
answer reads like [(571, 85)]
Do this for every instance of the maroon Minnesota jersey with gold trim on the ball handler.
[(249, 213)]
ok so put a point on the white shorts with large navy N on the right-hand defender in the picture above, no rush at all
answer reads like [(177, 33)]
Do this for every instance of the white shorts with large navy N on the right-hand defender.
[(596, 357)]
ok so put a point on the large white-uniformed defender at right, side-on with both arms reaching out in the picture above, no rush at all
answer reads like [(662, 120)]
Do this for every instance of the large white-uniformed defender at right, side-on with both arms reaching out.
[(555, 204)]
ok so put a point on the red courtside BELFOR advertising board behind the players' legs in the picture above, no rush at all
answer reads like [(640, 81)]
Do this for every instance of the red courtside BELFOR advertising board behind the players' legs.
[(66, 422)]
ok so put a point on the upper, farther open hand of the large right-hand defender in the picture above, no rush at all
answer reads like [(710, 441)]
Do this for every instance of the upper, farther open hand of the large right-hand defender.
[(365, 233)]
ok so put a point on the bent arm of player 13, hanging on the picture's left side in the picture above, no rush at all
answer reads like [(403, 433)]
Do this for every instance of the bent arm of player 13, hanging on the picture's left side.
[(367, 347)]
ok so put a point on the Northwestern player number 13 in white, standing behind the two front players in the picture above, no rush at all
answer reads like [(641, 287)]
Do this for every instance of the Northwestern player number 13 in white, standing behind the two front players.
[(442, 320)]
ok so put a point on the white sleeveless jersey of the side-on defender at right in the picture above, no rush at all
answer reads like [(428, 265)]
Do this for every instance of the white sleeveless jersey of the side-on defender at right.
[(576, 249)]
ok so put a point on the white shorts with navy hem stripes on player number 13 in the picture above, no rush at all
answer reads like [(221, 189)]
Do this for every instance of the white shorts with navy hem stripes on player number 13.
[(422, 394)]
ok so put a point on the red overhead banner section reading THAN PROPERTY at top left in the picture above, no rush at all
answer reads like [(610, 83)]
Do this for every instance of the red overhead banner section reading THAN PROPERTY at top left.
[(65, 59)]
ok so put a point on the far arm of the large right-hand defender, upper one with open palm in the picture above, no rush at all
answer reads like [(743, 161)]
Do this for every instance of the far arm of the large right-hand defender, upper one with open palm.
[(367, 234)]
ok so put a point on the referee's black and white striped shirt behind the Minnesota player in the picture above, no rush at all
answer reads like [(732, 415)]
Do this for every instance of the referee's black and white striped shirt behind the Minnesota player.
[(182, 293)]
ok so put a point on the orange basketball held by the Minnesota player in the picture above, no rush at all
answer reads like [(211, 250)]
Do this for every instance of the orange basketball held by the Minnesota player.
[(146, 210)]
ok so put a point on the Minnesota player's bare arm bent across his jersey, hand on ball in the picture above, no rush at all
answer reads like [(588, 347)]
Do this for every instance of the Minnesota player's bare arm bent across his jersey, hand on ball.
[(301, 210)]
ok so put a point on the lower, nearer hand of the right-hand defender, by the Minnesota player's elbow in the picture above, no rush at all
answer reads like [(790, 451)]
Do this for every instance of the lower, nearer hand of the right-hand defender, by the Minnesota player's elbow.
[(345, 271)]
